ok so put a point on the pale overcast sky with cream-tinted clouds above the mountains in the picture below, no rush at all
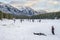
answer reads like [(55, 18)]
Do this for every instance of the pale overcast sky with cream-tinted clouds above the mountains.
[(49, 5)]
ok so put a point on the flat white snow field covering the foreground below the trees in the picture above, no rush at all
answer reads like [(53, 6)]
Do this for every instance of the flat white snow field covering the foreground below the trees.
[(24, 30)]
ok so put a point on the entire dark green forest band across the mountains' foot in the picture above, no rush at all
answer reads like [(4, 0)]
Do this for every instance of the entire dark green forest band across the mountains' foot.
[(51, 15)]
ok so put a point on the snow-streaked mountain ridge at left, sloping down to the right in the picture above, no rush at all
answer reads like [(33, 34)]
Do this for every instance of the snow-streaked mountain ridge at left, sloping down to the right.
[(8, 9)]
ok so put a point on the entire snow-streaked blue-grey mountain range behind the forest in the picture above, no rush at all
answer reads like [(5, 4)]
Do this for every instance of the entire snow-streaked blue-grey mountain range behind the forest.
[(27, 11)]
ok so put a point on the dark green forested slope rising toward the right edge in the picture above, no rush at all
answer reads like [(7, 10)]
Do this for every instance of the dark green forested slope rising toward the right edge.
[(51, 15)]
